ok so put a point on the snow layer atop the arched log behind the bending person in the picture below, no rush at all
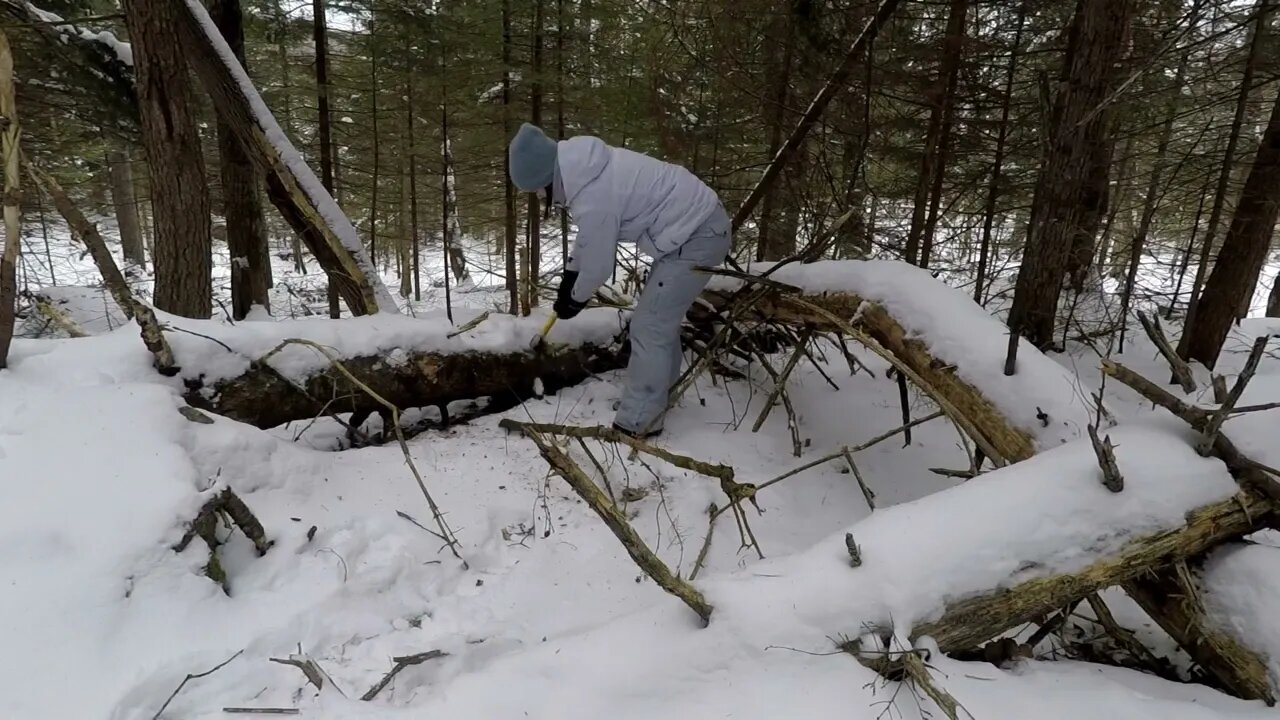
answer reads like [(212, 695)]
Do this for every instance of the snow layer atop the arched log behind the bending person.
[(1044, 399)]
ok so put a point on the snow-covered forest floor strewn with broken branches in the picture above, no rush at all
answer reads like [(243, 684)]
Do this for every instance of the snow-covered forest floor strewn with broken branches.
[(547, 618)]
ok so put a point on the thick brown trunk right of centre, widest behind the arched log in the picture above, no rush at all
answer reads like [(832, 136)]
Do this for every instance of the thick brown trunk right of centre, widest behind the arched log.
[(1099, 34)]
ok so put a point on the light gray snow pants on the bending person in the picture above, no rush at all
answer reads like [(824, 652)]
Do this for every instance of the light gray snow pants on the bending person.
[(671, 290)]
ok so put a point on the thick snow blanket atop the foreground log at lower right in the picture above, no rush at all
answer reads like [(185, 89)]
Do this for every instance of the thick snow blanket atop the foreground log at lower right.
[(1043, 517)]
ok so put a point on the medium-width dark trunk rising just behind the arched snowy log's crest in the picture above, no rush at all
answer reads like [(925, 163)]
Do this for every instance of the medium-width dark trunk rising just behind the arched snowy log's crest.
[(938, 138)]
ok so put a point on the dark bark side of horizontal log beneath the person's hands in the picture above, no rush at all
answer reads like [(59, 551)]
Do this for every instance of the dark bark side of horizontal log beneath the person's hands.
[(266, 399)]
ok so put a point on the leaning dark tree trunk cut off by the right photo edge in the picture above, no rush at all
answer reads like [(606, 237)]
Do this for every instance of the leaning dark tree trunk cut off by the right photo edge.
[(1245, 249)]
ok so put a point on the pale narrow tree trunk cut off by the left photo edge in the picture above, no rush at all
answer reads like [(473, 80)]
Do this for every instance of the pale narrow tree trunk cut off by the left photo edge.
[(10, 135)]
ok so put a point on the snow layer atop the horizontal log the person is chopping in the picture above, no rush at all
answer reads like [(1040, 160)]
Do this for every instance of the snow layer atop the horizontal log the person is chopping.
[(383, 335)]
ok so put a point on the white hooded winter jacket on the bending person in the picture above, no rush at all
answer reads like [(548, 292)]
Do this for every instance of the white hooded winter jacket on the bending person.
[(616, 195)]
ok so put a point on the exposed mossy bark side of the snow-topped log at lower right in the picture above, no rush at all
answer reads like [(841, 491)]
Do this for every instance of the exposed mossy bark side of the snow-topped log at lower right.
[(968, 623)]
